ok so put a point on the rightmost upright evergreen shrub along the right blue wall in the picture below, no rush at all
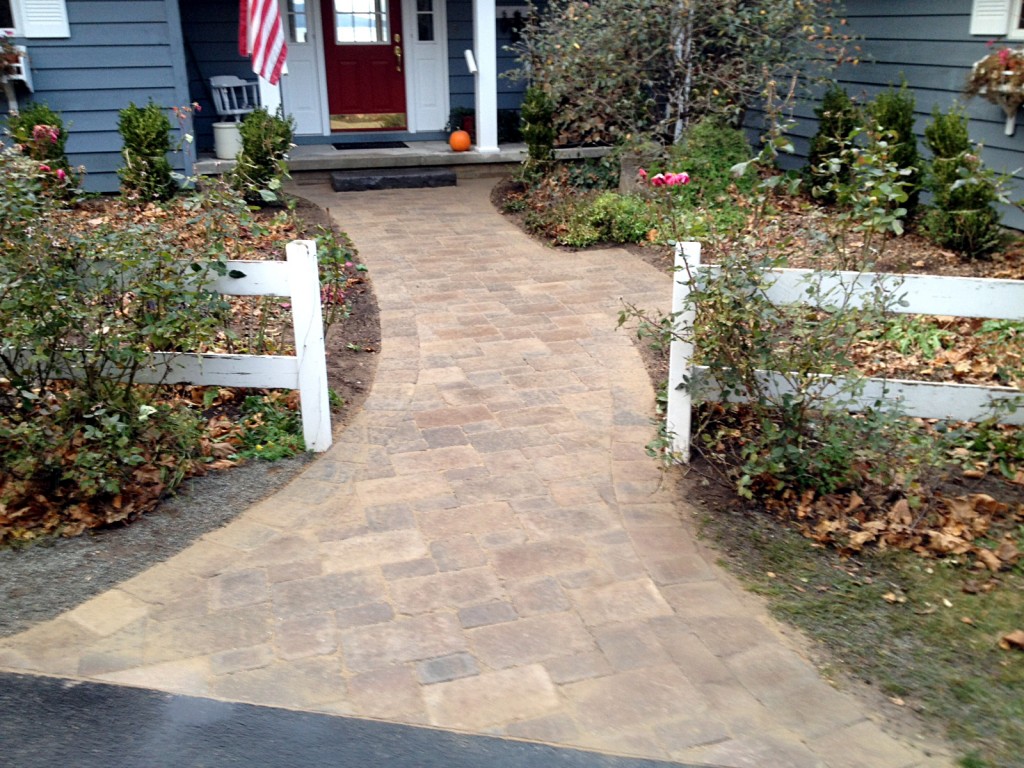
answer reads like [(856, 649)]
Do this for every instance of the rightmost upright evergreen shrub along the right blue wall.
[(963, 218)]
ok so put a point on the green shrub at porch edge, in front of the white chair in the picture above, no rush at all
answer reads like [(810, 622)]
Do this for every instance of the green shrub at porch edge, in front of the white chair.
[(261, 167)]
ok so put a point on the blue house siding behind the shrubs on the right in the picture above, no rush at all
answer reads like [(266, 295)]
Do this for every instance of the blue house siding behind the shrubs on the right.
[(928, 44)]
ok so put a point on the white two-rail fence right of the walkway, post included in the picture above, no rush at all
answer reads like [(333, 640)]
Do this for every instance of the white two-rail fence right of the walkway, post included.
[(961, 297)]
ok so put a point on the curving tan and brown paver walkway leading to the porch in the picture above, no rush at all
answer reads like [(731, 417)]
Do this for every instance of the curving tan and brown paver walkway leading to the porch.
[(487, 548)]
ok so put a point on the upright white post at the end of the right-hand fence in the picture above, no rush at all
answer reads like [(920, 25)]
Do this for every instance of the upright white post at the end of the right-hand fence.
[(677, 422)]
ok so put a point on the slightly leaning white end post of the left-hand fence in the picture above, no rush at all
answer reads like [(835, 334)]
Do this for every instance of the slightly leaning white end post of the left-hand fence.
[(310, 351)]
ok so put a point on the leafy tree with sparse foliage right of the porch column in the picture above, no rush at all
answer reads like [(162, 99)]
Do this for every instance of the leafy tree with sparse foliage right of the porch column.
[(617, 69)]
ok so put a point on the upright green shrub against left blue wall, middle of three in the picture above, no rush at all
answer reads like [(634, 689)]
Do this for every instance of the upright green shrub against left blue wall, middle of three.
[(147, 176)]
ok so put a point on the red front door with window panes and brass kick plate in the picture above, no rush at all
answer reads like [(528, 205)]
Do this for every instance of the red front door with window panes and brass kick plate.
[(363, 49)]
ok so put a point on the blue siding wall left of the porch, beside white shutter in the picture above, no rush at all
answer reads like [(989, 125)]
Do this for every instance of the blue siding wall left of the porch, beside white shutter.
[(119, 52)]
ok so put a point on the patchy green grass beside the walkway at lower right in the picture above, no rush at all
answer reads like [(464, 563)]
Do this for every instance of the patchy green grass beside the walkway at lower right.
[(916, 646)]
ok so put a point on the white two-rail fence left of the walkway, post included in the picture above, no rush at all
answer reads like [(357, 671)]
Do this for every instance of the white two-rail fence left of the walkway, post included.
[(297, 279)]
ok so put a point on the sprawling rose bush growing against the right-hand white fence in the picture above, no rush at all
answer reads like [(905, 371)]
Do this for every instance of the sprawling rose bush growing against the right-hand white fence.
[(798, 437)]
